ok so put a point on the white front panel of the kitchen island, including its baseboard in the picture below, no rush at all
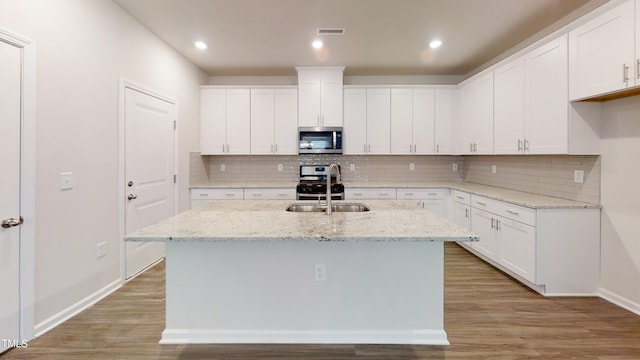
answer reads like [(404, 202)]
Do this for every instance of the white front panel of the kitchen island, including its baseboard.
[(266, 292)]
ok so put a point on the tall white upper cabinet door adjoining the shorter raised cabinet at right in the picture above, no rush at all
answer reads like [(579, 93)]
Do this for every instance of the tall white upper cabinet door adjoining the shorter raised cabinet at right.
[(546, 119)]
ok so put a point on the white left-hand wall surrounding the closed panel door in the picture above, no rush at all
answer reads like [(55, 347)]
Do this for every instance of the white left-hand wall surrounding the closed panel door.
[(82, 48)]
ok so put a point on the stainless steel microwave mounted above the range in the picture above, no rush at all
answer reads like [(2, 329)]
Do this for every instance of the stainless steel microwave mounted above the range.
[(320, 140)]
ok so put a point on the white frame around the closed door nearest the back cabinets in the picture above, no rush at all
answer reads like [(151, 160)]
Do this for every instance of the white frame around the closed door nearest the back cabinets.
[(123, 85)]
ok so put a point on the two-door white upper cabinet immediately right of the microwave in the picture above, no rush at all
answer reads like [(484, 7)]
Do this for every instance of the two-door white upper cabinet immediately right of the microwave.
[(367, 123)]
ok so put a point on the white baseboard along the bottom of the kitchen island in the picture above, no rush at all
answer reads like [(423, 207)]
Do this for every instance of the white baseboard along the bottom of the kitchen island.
[(204, 336)]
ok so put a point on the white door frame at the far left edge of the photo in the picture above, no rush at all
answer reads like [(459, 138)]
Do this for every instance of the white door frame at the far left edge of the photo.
[(27, 181)]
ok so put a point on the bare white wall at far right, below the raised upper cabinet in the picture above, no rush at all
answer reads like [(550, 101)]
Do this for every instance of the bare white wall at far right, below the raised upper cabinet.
[(620, 273)]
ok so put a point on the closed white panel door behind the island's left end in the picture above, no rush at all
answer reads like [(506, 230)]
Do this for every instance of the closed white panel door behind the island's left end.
[(149, 172)]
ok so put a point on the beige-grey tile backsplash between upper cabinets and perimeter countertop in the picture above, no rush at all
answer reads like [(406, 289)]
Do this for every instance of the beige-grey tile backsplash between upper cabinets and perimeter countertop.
[(539, 174)]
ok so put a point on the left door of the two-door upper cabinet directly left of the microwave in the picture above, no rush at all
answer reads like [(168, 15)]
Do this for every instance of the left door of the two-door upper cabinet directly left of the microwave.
[(262, 121)]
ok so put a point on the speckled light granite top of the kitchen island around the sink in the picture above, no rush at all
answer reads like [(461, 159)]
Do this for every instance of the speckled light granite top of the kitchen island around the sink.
[(264, 220)]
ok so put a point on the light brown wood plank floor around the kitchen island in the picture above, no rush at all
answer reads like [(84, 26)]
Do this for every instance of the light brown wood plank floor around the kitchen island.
[(487, 316)]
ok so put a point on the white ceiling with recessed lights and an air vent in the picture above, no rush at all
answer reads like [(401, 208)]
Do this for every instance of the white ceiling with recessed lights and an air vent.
[(383, 37)]
